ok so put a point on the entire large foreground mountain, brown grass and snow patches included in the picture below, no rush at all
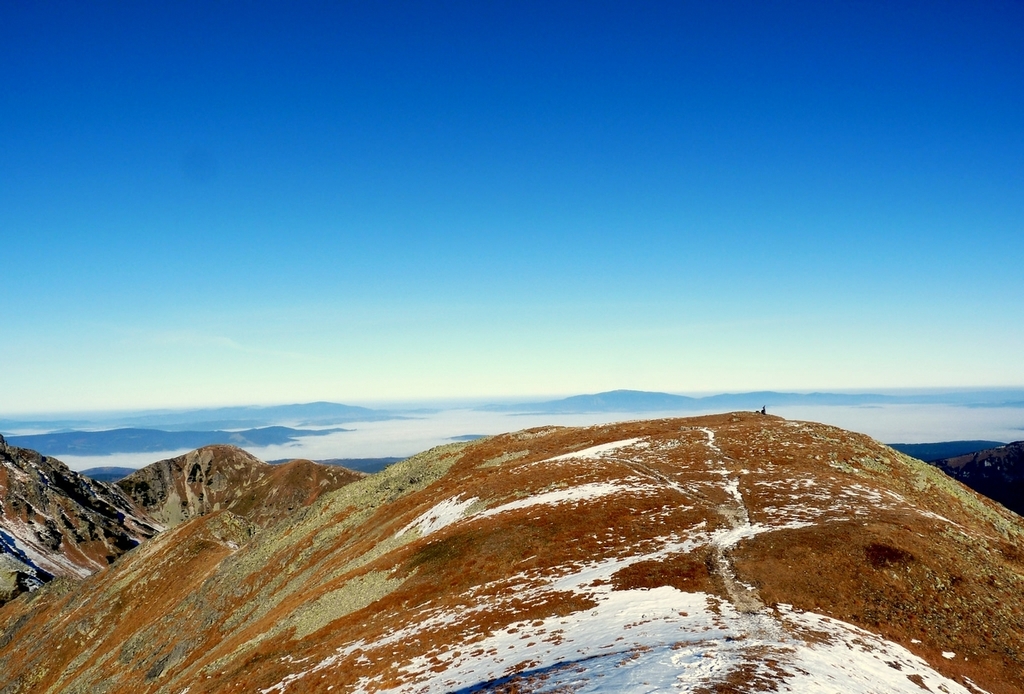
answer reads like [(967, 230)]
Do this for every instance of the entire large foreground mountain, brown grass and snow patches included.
[(733, 553)]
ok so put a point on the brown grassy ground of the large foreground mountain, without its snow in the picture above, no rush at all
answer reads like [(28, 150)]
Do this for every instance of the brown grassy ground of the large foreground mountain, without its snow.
[(890, 545)]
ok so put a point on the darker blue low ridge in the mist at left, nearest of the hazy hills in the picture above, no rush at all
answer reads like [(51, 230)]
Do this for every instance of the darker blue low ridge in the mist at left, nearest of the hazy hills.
[(144, 441)]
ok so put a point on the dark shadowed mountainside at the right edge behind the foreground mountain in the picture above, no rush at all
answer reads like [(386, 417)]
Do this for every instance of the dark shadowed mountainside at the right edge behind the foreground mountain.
[(997, 473)]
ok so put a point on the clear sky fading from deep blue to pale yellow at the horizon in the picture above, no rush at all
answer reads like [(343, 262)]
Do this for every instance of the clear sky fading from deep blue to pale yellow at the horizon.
[(214, 203)]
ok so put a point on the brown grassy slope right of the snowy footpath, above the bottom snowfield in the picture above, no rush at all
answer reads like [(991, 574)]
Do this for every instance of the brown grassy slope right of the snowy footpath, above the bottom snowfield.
[(952, 581)]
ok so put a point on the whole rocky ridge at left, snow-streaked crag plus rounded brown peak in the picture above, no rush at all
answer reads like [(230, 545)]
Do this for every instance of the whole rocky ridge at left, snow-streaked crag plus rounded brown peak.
[(56, 523)]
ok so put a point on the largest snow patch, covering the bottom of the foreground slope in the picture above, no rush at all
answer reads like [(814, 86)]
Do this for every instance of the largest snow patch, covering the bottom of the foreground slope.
[(649, 640)]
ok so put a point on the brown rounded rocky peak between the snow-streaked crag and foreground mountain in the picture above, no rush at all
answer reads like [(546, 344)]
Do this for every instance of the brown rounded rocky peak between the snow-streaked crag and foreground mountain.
[(226, 479)]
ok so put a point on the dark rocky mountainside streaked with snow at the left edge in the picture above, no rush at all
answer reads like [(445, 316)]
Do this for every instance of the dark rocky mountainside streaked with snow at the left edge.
[(55, 523)]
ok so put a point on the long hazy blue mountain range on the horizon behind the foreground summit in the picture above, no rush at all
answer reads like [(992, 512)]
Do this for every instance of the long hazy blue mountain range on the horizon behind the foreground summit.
[(648, 402)]
